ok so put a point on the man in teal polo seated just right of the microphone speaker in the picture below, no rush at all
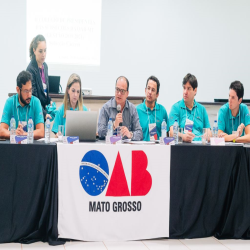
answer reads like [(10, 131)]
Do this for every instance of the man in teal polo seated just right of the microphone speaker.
[(151, 114)]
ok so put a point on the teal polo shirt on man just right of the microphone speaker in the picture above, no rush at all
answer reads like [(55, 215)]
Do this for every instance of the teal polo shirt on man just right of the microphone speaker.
[(147, 115)]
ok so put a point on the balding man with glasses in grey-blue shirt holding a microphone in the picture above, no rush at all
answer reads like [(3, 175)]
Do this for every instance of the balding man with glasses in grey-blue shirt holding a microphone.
[(127, 116)]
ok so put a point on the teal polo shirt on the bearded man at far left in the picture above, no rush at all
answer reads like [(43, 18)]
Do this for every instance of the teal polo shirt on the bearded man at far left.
[(13, 107)]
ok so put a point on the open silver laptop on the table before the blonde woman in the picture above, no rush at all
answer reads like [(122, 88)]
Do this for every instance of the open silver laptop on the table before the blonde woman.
[(82, 124)]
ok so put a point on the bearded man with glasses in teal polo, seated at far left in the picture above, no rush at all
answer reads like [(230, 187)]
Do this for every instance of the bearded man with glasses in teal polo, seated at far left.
[(23, 106)]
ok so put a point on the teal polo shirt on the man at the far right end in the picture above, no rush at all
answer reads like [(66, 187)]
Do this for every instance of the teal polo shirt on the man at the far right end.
[(228, 123)]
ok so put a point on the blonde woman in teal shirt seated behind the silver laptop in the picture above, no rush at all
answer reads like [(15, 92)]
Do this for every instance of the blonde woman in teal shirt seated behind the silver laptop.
[(72, 101)]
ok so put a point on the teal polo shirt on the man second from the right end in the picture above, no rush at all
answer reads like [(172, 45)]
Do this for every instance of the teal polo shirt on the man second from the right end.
[(198, 115)]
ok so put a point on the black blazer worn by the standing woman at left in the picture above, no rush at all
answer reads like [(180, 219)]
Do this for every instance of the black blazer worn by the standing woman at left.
[(37, 85)]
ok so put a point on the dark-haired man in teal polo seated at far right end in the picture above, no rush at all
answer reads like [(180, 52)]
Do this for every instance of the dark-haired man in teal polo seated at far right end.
[(234, 117)]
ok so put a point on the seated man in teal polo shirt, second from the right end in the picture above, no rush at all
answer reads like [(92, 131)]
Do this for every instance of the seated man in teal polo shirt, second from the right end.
[(190, 115)]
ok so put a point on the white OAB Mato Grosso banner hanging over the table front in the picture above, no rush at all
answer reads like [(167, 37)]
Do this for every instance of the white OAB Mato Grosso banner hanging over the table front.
[(113, 192)]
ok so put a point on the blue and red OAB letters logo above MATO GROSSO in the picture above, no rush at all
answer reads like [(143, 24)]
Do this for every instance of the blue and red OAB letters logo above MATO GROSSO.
[(94, 175)]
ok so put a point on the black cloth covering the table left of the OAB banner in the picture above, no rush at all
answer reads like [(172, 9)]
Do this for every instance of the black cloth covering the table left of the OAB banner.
[(28, 193)]
